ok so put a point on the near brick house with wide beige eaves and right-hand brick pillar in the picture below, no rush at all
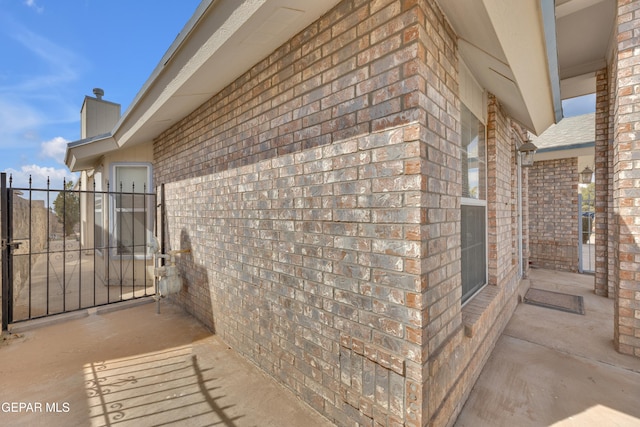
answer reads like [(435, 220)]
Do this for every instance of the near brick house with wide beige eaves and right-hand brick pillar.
[(346, 176)]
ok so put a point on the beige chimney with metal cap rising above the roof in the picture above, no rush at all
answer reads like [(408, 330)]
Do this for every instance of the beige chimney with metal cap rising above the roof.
[(97, 115)]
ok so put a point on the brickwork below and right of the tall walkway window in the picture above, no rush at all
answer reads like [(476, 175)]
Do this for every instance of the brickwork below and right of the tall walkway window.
[(456, 362)]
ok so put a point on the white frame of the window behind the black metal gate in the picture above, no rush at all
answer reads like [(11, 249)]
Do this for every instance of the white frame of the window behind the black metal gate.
[(114, 189)]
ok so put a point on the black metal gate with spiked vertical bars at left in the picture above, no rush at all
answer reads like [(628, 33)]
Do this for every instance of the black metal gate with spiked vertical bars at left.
[(71, 248)]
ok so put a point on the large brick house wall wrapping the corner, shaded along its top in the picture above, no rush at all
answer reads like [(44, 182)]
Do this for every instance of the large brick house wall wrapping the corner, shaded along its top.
[(320, 197)]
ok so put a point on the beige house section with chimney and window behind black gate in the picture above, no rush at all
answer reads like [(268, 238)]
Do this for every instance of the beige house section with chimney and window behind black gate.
[(116, 216)]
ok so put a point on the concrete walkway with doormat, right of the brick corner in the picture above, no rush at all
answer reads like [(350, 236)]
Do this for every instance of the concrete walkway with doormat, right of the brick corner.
[(552, 368)]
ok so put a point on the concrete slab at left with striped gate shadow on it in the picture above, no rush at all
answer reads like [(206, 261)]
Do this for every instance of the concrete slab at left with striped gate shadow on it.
[(135, 367)]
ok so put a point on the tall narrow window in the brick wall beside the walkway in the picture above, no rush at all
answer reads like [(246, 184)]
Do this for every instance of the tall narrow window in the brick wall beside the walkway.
[(473, 205)]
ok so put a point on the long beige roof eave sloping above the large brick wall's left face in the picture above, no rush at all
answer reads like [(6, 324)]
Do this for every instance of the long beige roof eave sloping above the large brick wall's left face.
[(220, 32)]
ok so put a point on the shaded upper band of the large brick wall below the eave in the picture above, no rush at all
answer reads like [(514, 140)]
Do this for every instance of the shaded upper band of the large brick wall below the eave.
[(359, 69)]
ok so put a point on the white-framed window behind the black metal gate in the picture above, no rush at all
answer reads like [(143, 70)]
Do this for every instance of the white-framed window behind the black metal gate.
[(132, 220)]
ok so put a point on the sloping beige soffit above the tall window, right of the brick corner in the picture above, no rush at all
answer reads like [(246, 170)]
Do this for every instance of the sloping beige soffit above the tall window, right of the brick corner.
[(504, 45)]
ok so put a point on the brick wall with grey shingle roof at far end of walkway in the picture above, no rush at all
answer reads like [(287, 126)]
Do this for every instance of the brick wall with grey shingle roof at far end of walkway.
[(564, 150)]
